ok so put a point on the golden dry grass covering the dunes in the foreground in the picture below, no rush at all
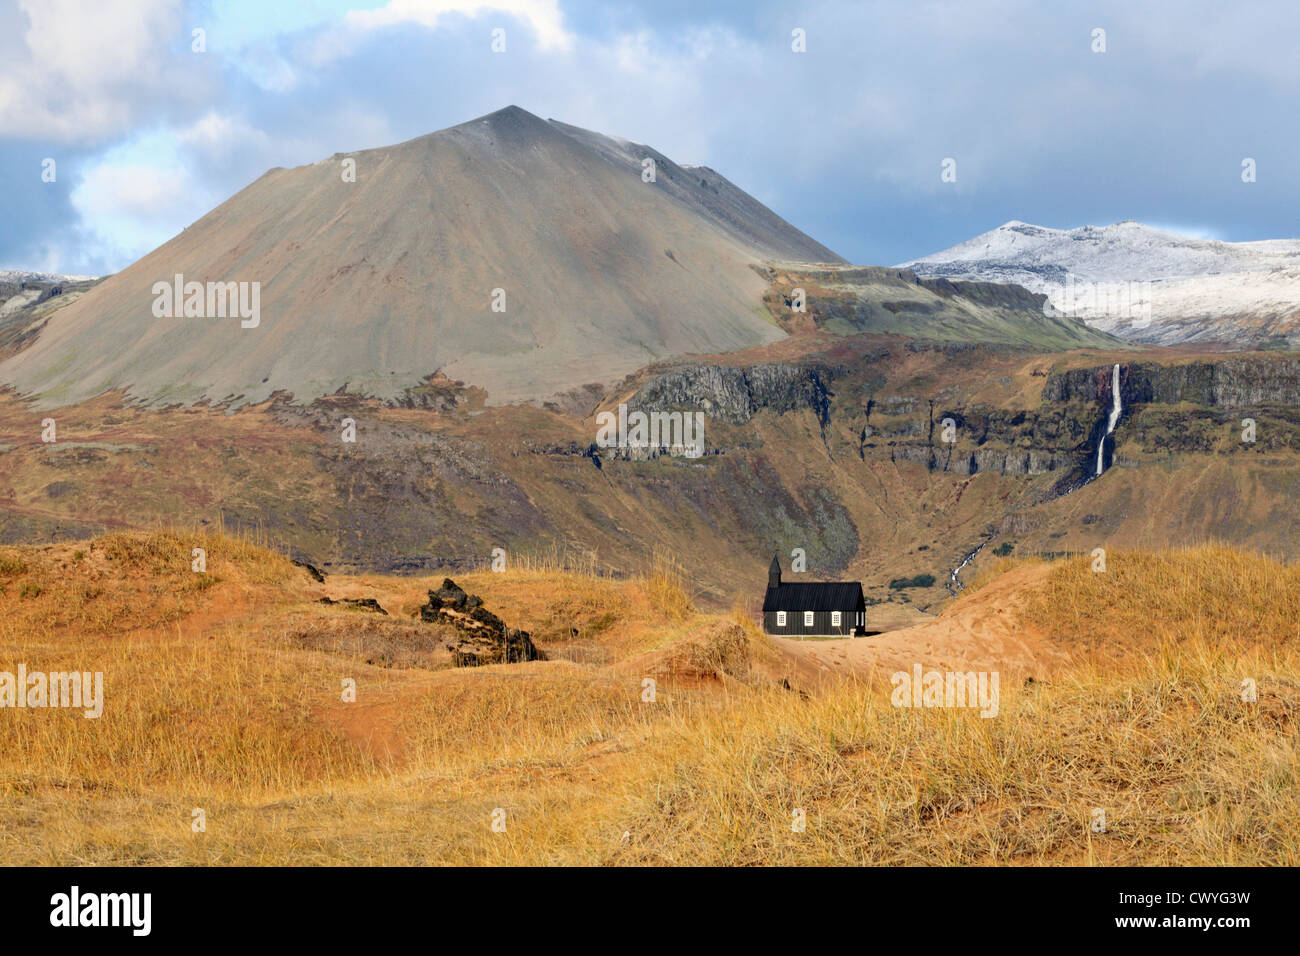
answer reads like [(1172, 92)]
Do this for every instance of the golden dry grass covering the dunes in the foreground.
[(207, 707)]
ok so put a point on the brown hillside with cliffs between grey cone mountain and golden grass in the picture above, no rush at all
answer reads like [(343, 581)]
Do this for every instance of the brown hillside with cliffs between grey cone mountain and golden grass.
[(831, 444)]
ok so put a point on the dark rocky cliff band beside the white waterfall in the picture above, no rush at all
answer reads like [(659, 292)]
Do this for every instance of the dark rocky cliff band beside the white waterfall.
[(853, 404)]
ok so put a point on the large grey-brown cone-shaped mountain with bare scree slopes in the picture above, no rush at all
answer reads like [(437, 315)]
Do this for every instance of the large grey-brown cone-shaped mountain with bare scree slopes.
[(376, 284)]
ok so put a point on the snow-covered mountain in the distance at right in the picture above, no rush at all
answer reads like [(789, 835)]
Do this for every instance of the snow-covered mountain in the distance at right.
[(1142, 283)]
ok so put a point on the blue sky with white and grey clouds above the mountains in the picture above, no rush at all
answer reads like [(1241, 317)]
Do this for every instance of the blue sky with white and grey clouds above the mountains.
[(120, 124)]
